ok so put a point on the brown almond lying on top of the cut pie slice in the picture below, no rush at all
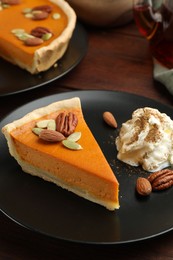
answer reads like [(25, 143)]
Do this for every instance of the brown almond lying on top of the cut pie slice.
[(51, 136)]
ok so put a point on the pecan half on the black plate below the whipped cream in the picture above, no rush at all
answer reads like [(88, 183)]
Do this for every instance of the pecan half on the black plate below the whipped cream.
[(161, 180)]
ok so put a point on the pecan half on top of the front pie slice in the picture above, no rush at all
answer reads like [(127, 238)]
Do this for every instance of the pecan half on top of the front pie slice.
[(66, 123)]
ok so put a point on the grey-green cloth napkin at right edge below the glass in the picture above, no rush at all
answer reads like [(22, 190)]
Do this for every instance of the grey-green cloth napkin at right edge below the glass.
[(163, 75)]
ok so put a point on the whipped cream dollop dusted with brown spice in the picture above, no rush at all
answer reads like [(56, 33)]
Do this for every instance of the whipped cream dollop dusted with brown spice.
[(147, 140)]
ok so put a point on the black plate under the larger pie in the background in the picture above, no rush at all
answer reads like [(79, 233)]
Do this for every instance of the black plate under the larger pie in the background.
[(15, 80)]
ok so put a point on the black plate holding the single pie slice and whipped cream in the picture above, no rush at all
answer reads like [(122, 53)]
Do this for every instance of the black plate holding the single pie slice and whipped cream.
[(45, 208)]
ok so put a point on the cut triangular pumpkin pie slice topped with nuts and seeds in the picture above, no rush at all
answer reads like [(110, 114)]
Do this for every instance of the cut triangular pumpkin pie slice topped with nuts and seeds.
[(55, 143)]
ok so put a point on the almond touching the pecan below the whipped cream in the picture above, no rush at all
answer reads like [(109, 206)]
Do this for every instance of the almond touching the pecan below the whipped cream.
[(143, 186)]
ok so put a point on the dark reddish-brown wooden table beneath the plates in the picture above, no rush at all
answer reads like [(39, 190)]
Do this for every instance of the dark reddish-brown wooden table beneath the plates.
[(117, 59)]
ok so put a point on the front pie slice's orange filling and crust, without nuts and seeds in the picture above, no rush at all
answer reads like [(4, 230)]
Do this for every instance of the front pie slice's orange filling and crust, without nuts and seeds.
[(85, 172)]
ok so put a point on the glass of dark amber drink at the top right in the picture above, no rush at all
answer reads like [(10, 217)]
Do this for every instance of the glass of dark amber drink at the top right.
[(154, 19)]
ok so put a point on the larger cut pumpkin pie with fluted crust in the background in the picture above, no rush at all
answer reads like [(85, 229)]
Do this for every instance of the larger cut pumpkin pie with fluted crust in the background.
[(35, 34)]
